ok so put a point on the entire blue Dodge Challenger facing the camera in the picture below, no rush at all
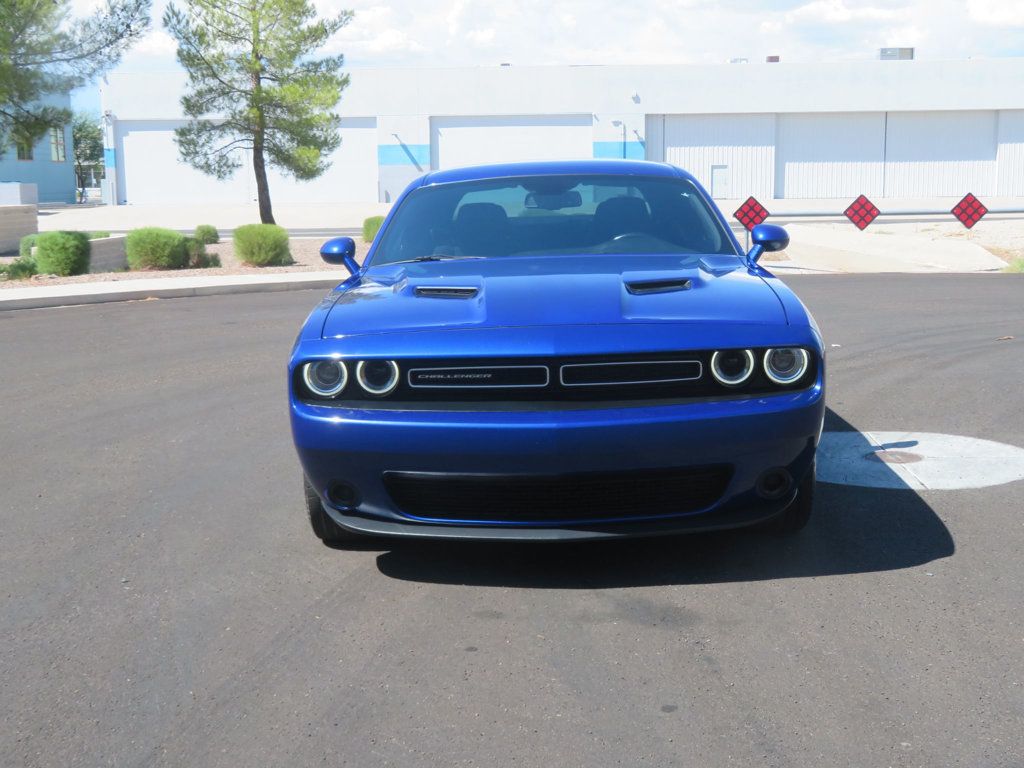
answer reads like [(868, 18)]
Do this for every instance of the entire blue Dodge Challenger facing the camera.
[(557, 352)]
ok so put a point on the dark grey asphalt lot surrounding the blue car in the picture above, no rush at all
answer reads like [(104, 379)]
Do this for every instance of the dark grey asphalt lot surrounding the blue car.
[(163, 602)]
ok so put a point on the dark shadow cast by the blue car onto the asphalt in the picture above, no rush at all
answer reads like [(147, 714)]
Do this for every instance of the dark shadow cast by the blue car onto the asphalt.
[(854, 531)]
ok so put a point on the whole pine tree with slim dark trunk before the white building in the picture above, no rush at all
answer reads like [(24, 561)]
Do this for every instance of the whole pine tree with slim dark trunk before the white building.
[(254, 86)]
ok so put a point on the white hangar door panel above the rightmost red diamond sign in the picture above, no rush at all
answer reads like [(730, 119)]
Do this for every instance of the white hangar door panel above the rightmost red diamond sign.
[(941, 154)]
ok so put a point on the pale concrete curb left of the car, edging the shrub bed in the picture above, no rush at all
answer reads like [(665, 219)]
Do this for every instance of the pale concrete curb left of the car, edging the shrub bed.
[(161, 288)]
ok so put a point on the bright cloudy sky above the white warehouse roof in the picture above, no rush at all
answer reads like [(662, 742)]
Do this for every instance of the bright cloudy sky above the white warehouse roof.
[(478, 33)]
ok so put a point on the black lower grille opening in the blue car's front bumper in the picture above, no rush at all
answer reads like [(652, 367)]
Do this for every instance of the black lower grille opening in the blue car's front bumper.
[(553, 499)]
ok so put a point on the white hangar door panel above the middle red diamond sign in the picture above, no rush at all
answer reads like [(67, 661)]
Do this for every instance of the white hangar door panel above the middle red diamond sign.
[(830, 156)]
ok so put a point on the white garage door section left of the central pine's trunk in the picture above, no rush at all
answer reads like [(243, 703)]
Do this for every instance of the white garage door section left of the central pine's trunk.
[(149, 169)]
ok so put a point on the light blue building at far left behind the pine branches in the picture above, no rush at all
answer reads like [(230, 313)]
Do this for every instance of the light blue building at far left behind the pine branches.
[(50, 163)]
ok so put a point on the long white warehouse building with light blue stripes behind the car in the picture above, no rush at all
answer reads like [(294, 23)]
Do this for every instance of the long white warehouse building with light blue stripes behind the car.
[(886, 130)]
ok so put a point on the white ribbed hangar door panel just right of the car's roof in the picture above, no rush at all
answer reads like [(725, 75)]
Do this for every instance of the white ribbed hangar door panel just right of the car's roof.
[(734, 156)]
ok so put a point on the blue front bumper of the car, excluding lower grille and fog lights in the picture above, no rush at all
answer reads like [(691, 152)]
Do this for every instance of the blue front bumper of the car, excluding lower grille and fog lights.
[(752, 436)]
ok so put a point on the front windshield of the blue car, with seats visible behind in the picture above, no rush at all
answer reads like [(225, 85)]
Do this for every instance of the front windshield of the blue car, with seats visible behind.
[(553, 216)]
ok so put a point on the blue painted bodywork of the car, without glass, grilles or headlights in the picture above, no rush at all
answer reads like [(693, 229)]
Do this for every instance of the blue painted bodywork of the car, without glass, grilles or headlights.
[(524, 309)]
